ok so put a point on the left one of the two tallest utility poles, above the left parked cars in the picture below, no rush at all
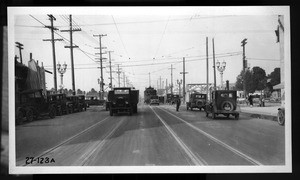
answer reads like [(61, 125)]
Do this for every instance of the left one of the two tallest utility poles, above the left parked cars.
[(52, 28)]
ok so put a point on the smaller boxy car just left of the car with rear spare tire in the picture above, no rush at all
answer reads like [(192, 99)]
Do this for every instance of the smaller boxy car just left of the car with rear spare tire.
[(195, 100)]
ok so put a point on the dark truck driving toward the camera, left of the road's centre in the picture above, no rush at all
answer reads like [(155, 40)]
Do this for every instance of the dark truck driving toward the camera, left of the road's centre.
[(123, 100)]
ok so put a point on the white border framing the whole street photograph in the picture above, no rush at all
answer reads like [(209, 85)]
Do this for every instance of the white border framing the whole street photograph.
[(243, 10)]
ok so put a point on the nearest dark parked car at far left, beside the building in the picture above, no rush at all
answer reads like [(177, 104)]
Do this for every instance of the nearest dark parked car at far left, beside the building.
[(32, 104)]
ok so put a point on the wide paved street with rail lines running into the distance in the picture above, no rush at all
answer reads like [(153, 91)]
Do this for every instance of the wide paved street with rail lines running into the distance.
[(157, 135)]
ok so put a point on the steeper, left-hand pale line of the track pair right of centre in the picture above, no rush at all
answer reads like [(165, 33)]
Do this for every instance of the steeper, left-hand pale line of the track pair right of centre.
[(191, 155)]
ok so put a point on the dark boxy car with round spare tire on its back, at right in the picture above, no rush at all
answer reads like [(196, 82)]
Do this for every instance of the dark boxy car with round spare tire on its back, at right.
[(223, 102)]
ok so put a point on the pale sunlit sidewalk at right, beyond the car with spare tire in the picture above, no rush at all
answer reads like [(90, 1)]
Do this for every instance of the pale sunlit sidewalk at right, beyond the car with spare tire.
[(269, 112)]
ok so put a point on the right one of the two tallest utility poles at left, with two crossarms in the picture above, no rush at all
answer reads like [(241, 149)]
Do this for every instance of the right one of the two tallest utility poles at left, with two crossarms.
[(71, 51)]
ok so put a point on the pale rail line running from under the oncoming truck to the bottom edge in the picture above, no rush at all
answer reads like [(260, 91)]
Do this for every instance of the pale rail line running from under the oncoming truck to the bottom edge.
[(88, 154)]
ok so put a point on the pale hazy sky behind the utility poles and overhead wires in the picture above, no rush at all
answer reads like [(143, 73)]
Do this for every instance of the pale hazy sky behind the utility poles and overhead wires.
[(144, 44)]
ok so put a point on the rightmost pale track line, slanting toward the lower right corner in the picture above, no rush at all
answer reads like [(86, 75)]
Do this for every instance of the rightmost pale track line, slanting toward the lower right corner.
[(237, 152)]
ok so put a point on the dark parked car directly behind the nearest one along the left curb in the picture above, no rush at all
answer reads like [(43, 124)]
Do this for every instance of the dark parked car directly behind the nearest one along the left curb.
[(61, 103)]
